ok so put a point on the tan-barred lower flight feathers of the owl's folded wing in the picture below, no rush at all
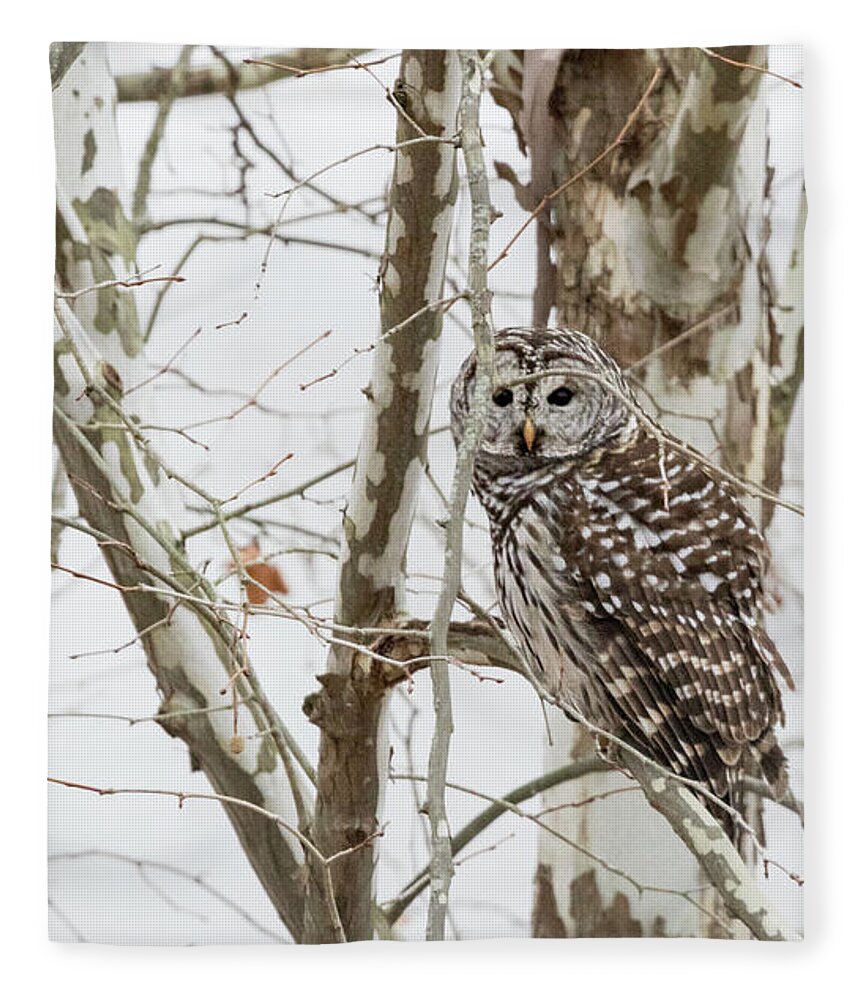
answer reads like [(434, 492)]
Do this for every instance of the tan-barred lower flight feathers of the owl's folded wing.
[(685, 681)]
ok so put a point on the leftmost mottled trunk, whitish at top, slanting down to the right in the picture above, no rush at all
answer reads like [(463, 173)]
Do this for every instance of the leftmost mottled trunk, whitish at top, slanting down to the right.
[(125, 498)]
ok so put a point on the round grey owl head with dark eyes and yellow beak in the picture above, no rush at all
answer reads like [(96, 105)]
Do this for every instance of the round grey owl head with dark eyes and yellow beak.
[(536, 418)]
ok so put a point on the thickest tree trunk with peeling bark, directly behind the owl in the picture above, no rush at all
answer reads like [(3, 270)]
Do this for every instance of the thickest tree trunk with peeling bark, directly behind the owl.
[(652, 240)]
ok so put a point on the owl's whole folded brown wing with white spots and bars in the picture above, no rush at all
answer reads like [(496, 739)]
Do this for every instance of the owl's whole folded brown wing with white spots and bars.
[(674, 584)]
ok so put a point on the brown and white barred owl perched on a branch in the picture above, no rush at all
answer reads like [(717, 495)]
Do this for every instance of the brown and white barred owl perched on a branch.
[(630, 572)]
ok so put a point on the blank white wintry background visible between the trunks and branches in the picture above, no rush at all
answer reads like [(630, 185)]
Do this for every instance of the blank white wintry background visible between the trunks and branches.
[(99, 890)]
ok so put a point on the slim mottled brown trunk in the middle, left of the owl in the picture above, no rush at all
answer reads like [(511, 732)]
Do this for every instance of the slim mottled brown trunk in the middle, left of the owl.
[(388, 473)]
